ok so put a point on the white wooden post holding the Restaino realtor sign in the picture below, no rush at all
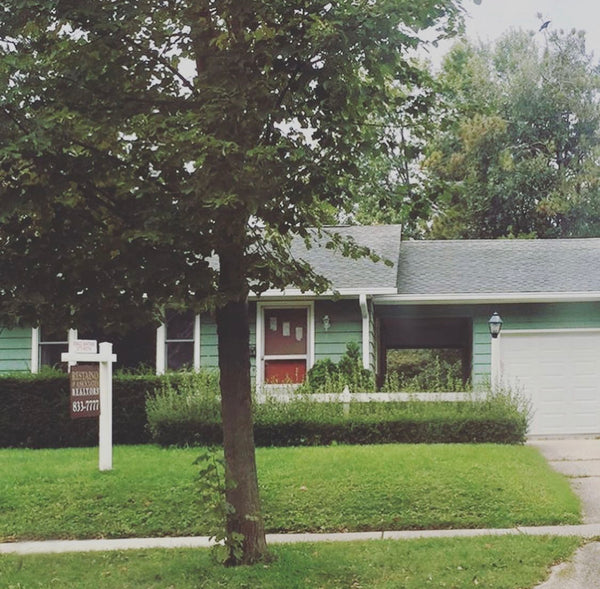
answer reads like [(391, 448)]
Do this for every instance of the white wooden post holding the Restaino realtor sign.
[(85, 351)]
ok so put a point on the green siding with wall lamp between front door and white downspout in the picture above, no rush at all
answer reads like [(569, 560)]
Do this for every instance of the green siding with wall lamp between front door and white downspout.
[(346, 326)]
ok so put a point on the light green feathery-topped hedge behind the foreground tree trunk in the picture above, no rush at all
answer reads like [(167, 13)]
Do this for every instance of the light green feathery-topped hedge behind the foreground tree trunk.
[(191, 416)]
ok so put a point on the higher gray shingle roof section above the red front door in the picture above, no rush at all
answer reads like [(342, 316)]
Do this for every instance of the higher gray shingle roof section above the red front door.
[(347, 273)]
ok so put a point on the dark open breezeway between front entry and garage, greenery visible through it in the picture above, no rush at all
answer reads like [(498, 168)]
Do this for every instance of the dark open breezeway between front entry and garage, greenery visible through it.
[(421, 355)]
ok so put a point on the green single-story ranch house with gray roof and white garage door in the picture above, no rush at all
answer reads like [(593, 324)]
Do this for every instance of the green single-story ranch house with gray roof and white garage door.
[(437, 294)]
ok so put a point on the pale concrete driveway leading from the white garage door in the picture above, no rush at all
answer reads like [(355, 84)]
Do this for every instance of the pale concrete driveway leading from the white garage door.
[(578, 459)]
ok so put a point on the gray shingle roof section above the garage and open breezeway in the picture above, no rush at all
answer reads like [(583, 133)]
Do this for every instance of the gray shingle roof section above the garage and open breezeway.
[(499, 266)]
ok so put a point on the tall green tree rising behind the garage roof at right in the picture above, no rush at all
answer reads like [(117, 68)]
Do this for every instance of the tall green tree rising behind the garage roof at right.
[(518, 149)]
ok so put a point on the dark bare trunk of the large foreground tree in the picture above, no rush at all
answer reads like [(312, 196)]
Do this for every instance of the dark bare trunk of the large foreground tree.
[(236, 408)]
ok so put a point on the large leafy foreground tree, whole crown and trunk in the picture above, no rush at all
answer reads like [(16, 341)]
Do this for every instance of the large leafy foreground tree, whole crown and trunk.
[(140, 139)]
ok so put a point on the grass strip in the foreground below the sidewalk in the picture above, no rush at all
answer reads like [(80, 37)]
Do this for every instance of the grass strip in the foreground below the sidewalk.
[(499, 562)]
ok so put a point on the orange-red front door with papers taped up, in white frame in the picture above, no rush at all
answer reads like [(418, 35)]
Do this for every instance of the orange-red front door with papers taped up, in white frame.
[(286, 342)]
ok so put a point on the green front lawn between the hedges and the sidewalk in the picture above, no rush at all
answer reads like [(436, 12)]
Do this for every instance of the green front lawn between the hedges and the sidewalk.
[(153, 491)]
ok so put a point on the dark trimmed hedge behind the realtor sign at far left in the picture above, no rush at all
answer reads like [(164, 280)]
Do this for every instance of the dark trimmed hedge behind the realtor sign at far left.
[(35, 411)]
